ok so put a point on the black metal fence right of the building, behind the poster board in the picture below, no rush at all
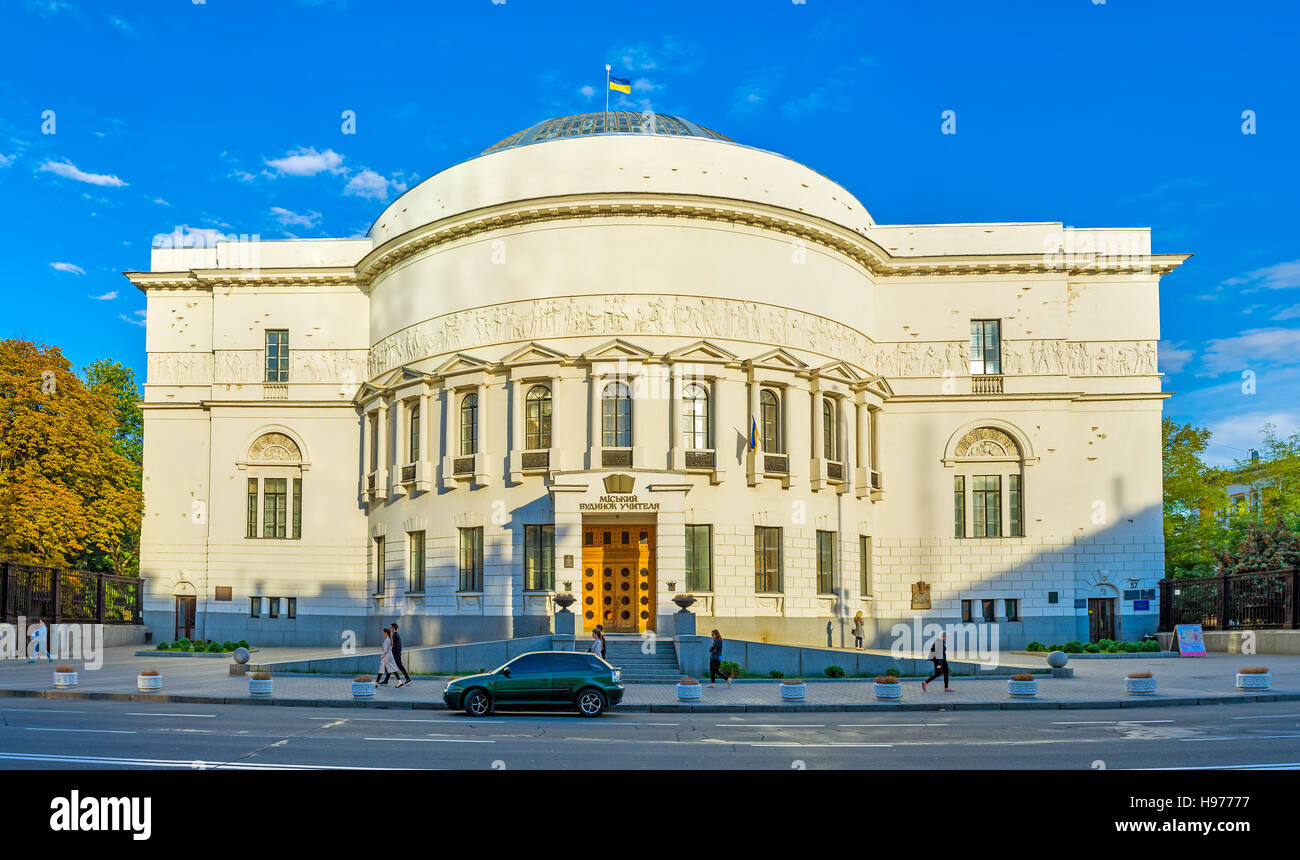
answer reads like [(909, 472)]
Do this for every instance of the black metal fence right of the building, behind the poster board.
[(1260, 601)]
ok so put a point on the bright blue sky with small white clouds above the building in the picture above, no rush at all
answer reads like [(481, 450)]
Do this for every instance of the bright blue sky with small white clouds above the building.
[(227, 116)]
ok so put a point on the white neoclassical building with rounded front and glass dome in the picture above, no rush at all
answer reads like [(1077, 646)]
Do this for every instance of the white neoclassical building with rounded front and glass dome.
[(631, 358)]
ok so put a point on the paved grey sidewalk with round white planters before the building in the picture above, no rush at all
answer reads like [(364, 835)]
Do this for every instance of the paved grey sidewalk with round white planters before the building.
[(1098, 684)]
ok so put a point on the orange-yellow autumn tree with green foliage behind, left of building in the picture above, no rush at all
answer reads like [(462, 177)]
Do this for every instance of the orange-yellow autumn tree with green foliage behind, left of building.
[(70, 488)]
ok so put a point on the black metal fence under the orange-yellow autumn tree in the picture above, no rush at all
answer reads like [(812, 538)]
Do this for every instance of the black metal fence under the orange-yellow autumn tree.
[(59, 596)]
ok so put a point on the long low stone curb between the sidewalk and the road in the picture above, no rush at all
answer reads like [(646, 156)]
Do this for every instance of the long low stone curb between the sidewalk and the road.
[(673, 707)]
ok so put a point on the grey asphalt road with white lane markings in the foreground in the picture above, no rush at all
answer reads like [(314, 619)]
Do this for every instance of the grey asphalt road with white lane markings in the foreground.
[(122, 735)]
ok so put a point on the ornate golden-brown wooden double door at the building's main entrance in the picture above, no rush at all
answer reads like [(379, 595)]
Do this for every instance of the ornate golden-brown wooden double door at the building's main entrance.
[(618, 577)]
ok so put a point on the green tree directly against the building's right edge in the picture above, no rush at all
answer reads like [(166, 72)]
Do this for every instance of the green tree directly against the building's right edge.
[(1194, 496)]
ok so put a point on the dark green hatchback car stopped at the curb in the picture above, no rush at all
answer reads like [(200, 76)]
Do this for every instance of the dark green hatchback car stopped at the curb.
[(538, 681)]
